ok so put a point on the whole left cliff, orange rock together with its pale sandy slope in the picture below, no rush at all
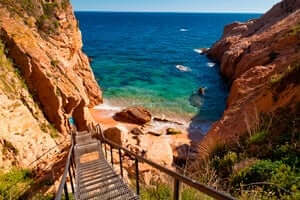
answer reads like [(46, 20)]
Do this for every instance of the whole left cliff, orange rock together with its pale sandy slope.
[(45, 78)]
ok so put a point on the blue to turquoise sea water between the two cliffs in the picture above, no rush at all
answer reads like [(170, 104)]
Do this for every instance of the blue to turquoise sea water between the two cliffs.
[(135, 57)]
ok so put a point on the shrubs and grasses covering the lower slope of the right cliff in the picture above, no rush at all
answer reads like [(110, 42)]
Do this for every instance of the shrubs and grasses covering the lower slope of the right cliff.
[(264, 163)]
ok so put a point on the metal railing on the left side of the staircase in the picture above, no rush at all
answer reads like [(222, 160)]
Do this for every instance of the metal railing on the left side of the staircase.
[(68, 171)]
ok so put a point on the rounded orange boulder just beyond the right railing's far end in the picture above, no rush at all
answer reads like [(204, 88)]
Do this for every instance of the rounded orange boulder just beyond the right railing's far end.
[(116, 135)]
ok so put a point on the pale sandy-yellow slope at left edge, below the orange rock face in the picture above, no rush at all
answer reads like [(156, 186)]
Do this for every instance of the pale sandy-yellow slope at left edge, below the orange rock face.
[(25, 134)]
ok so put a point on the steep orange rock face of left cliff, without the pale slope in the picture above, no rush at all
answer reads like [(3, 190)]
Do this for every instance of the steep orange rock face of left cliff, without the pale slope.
[(44, 42)]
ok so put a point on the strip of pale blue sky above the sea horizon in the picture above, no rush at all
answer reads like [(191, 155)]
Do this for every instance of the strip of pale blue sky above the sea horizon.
[(252, 6)]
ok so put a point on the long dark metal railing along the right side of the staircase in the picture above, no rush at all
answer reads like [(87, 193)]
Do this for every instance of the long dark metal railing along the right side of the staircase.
[(178, 178)]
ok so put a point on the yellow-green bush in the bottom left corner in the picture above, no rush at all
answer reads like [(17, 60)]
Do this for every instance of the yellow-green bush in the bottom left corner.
[(14, 182)]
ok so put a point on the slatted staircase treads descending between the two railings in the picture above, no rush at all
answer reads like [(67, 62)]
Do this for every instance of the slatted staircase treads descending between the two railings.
[(94, 177)]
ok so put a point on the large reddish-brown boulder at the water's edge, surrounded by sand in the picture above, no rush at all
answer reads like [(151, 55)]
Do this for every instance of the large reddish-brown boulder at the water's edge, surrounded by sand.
[(135, 115)]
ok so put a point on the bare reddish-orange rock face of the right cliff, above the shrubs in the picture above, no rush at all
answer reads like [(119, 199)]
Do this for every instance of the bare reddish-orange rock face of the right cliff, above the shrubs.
[(261, 59)]
